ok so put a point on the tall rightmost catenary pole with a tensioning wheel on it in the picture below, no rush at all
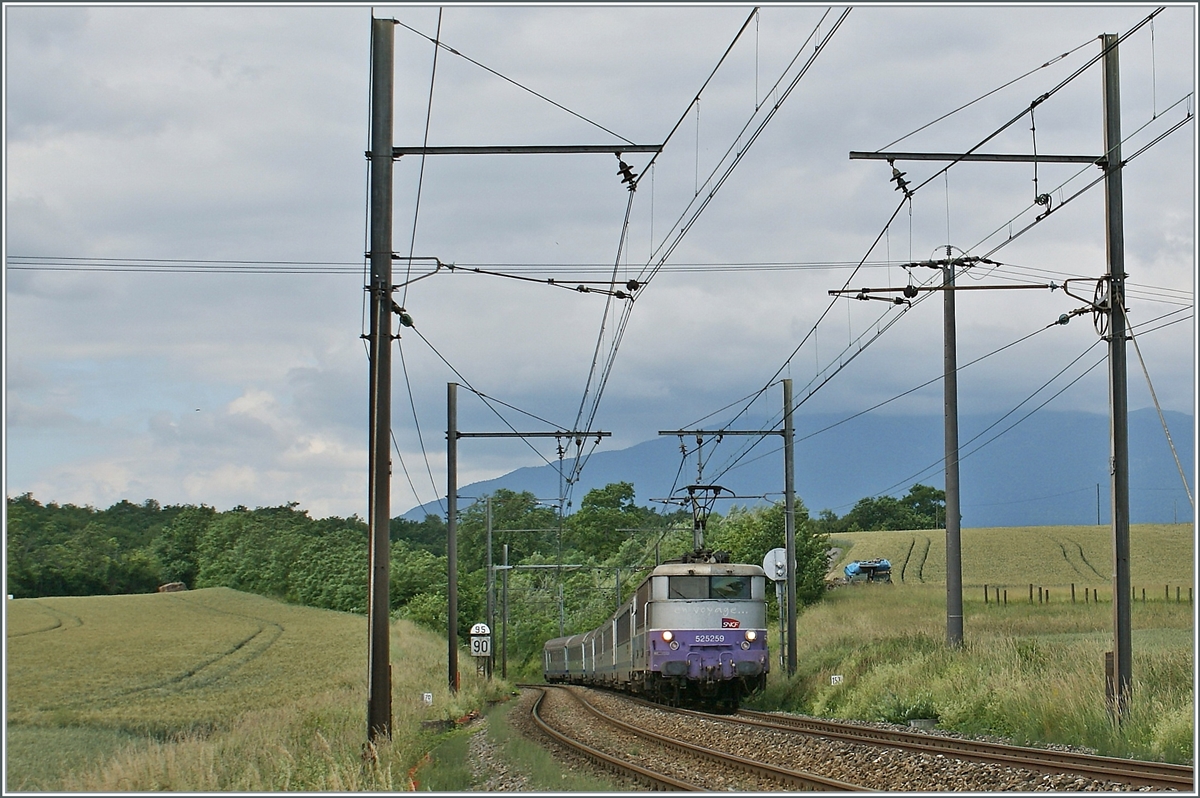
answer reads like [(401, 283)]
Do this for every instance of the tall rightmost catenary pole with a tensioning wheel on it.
[(1123, 651)]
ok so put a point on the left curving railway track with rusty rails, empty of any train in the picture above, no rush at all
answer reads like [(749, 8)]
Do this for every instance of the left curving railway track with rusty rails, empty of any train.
[(754, 775)]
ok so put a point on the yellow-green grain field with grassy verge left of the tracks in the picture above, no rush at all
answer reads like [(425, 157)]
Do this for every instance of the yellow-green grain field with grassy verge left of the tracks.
[(213, 691)]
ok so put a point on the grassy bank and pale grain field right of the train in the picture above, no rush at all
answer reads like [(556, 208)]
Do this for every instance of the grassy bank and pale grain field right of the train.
[(1031, 673)]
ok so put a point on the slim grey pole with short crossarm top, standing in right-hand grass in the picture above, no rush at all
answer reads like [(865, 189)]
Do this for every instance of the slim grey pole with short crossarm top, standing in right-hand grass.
[(951, 422)]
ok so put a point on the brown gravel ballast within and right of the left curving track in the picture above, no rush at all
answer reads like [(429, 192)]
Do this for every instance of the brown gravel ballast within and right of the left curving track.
[(871, 766)]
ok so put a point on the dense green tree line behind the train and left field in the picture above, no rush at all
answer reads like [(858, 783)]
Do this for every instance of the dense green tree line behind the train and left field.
[(605, 548)]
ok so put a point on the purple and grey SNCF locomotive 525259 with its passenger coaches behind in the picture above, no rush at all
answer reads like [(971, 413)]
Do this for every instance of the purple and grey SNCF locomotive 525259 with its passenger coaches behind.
[(692, 634)]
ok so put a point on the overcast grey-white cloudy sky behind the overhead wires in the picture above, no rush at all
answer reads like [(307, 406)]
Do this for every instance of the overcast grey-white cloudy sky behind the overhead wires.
[(238, 135)]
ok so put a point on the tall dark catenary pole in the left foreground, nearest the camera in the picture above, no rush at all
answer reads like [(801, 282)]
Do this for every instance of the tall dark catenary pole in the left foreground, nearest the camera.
[(380, 407)]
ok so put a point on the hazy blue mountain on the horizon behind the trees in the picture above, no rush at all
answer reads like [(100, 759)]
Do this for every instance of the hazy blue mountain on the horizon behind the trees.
[(1042, 472)]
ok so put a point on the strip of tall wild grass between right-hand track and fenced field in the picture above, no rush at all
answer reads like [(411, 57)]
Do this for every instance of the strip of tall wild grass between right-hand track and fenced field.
[(1030, 674)]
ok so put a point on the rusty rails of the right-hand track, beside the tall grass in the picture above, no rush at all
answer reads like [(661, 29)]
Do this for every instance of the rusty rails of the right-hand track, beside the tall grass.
[(1137, 772)]
